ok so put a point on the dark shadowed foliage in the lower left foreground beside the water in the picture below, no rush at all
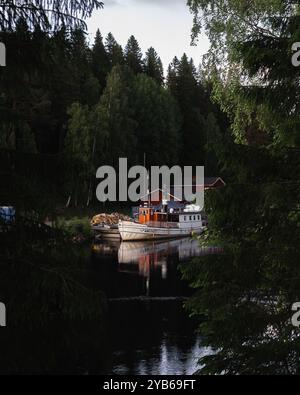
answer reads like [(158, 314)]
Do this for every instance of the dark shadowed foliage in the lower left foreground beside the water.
[(55, 313)]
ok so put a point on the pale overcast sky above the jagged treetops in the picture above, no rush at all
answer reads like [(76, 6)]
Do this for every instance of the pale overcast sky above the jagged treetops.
[(164, 24)]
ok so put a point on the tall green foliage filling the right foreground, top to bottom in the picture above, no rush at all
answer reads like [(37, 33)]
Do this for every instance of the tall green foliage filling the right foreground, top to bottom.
[(243, 298)]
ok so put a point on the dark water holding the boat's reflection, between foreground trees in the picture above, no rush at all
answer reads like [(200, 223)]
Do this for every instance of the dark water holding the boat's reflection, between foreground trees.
[(149, 330)]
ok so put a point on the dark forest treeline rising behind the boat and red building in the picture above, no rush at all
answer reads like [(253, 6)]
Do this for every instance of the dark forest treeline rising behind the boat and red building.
[(90, 105)]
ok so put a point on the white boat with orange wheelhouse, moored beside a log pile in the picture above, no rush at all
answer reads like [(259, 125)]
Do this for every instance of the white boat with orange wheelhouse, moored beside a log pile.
[(155, 225)]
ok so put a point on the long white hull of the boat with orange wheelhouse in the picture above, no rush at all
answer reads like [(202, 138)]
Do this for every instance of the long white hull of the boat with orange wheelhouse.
[(136, 232)]
